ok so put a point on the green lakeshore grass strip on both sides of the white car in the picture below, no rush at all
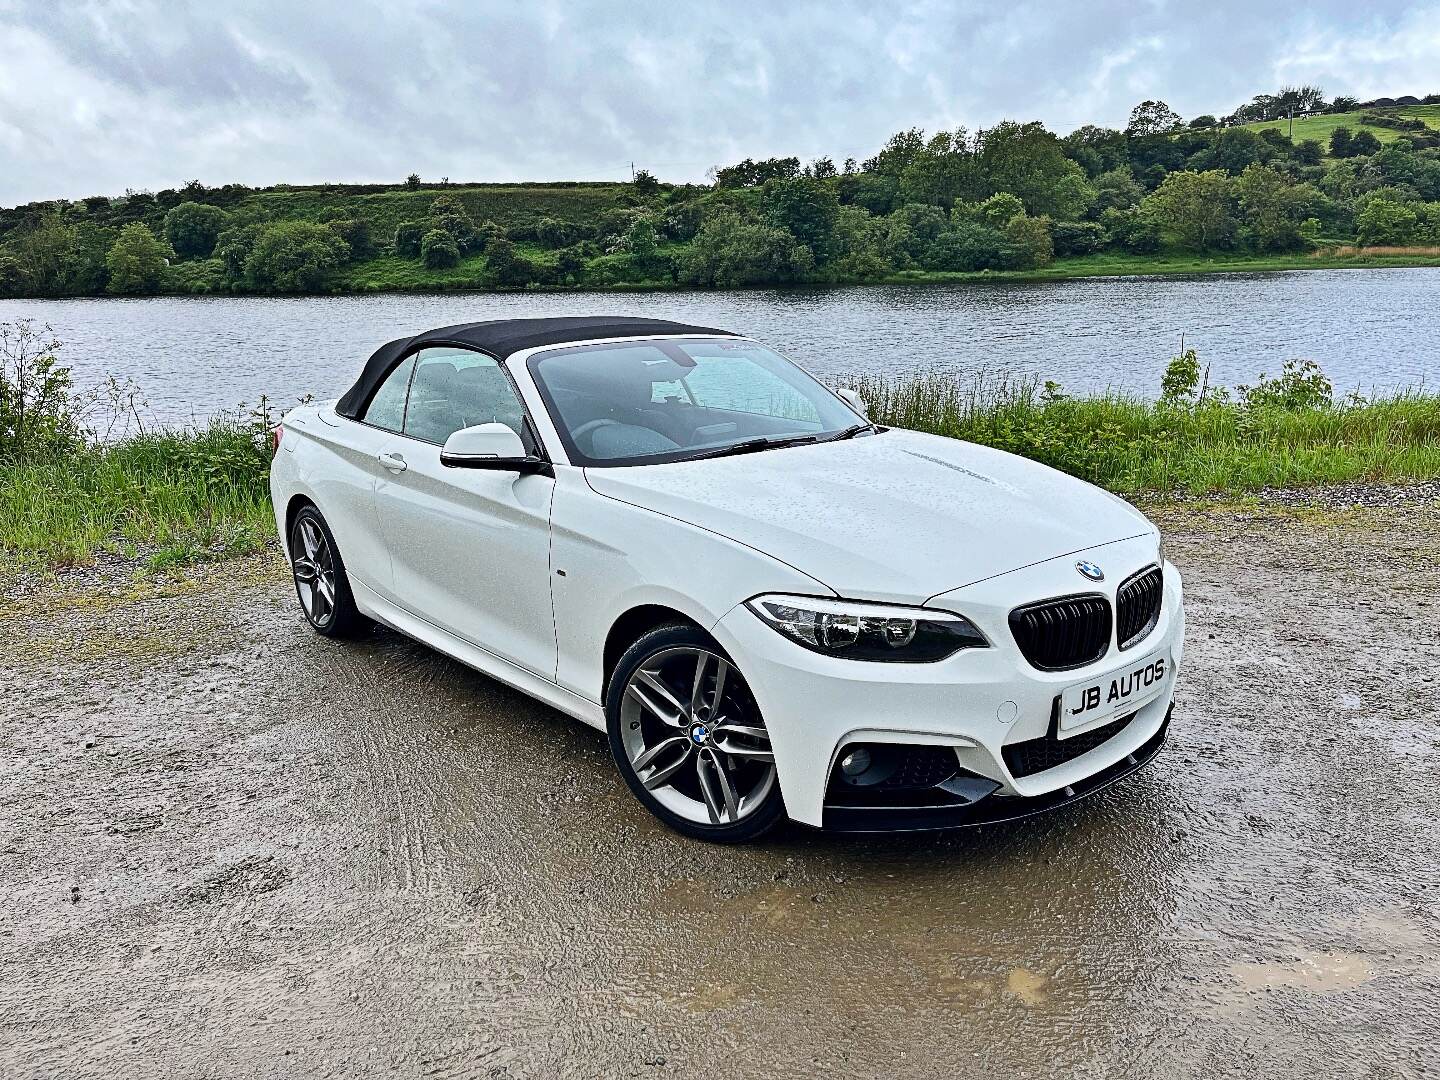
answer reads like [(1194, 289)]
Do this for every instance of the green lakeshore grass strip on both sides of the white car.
[(178, 499)]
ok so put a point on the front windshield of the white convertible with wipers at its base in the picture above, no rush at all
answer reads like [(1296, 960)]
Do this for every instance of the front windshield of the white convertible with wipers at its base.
[(644, 402)]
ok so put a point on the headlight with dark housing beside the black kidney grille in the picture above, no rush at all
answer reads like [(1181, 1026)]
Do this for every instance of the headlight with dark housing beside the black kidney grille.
[(869, 631)]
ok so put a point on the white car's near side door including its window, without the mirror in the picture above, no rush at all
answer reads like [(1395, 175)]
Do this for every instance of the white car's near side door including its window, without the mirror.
[(470, 549)]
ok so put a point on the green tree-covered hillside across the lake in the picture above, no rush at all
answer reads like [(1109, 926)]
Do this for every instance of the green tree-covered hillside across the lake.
[(1010, 198)]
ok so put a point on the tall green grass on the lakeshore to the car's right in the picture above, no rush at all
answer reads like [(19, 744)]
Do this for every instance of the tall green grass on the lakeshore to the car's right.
[(1131, 446)]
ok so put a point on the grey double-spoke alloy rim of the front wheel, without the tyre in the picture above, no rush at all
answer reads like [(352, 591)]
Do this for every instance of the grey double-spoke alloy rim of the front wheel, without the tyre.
[(695, 737)]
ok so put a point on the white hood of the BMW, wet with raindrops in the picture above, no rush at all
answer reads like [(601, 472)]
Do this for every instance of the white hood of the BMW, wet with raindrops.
[(896, 518)]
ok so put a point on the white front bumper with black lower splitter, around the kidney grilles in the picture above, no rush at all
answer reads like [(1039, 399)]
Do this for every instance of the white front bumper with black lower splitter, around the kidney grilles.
[(973, 705)]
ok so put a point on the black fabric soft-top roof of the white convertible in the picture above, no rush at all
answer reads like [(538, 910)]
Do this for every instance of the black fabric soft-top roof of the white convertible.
[(503, 338)]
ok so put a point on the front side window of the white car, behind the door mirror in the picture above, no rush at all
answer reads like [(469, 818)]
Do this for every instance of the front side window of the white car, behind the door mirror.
[(456, 388)]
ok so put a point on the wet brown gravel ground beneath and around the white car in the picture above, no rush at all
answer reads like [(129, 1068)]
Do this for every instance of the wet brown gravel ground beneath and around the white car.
[(231, 849)]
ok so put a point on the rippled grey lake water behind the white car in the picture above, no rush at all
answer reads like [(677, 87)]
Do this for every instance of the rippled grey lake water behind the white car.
[(1369, 329)]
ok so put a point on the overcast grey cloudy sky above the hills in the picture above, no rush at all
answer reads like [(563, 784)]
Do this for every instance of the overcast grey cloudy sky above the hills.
[(100, 97)]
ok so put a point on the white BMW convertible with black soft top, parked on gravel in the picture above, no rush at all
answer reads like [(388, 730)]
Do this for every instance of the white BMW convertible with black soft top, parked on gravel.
[(771, 606)]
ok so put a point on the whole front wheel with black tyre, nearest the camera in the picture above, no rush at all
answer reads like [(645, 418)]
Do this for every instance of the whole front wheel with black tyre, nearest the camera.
[(689, 738)]
